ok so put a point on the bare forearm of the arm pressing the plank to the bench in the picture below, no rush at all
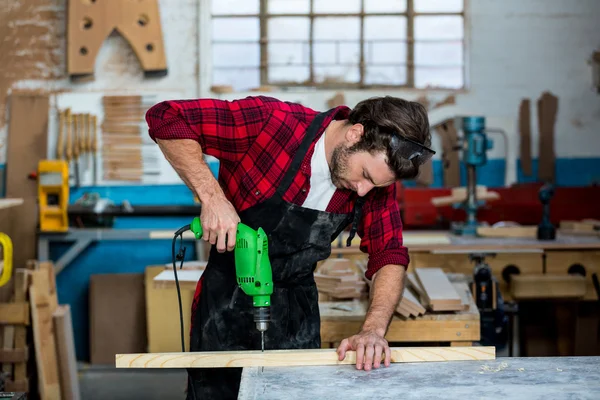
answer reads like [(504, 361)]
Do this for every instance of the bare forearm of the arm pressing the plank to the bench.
[(386, 291)]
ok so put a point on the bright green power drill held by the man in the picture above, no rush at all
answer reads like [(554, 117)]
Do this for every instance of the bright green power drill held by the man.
[(252, 269)]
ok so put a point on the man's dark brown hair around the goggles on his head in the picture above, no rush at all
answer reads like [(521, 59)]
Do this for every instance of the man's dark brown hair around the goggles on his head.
[(382, 117)]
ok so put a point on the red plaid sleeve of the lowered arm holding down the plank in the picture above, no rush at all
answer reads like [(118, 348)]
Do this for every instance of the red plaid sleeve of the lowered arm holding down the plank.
[(381, 231)]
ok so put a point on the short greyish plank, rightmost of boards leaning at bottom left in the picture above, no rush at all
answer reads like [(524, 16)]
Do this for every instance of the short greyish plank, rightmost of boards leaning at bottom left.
[(65, 344)]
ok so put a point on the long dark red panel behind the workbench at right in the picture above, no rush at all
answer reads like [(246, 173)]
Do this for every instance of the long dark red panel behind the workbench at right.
[(519, 203)]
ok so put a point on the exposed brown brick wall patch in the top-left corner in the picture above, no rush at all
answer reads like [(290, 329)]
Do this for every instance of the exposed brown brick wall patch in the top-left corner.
[(31, 42)]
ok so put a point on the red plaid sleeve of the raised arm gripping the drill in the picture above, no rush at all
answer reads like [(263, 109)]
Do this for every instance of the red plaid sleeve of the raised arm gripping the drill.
[(225, 129)]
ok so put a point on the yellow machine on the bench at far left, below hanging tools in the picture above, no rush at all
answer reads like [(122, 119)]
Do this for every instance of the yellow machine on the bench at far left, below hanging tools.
[(53, 195)]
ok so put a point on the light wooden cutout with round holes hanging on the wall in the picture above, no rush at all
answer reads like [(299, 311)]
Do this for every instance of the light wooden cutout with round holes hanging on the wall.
[(90, 22)]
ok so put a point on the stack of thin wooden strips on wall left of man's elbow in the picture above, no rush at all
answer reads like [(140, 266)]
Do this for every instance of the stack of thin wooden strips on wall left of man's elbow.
[(122, 138)]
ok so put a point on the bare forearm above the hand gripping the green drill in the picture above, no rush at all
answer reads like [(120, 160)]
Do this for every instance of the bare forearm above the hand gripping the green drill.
[(186, 157)]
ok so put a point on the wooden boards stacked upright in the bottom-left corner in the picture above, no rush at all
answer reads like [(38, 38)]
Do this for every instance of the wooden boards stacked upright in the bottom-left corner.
[(36, 300)]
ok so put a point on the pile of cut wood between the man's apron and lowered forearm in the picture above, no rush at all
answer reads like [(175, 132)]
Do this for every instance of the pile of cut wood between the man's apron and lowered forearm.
[(340, 278)]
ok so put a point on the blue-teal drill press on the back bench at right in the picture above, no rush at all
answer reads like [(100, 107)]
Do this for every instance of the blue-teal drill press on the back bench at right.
[(475, 145)]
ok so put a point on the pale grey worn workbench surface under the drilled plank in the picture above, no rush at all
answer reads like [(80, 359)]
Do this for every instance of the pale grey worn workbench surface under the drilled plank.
[(503, 378)]
